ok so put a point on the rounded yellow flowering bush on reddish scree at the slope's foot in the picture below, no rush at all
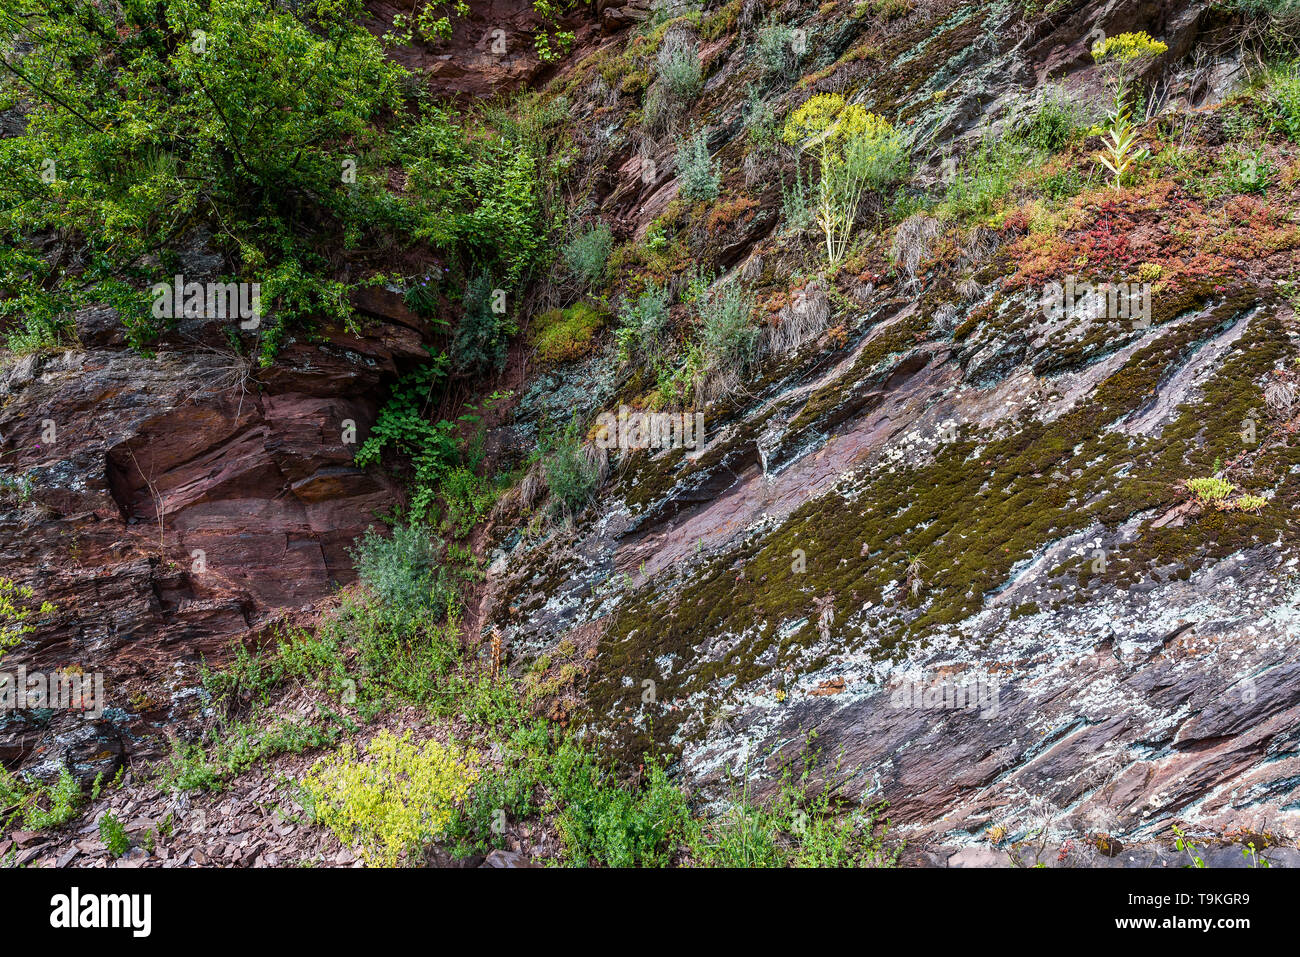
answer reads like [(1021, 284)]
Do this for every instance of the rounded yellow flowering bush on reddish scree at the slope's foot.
[(397, 800)]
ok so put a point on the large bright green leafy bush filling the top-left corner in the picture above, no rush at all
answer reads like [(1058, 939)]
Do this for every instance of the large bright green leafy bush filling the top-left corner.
[(239, 128)]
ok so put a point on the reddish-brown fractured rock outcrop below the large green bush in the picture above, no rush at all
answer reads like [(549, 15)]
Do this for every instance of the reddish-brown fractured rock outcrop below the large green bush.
[(170, 504)]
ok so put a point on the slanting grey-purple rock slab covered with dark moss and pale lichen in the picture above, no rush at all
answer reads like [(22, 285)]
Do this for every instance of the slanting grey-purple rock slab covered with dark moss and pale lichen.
[(951, 542)]
